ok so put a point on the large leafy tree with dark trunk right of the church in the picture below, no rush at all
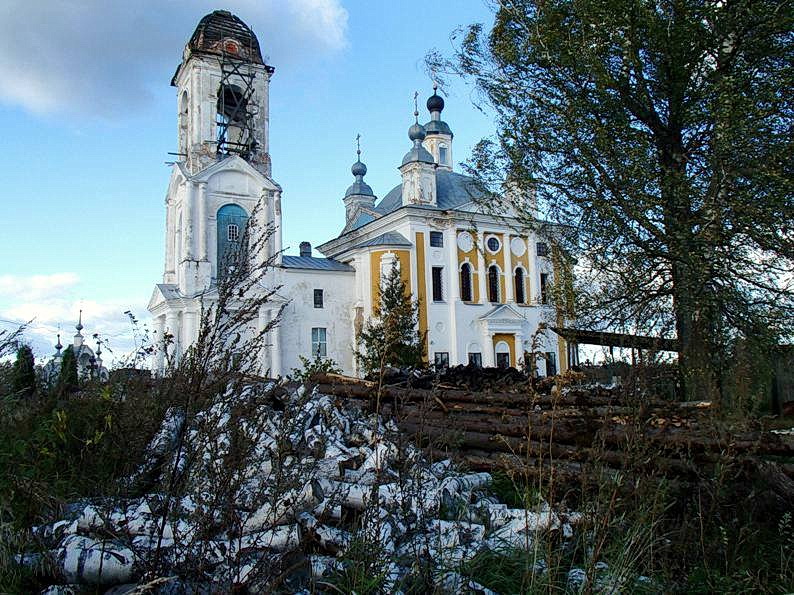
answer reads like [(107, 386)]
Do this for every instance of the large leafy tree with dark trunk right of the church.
[(659, 134)]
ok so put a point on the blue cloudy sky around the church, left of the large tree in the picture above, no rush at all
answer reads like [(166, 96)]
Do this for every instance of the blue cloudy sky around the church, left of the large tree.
[(89, 118)]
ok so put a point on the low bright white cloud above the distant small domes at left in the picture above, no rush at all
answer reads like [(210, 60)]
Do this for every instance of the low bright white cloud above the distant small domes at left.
[(50, 302)]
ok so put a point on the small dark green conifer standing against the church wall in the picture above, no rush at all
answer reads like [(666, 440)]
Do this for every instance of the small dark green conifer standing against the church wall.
[(392, 339)]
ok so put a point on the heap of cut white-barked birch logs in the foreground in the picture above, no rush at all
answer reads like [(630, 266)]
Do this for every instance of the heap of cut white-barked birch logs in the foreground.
[(271, 483)]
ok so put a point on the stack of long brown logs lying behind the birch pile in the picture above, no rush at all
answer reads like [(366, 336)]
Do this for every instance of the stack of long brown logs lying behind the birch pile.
[(572, 429)]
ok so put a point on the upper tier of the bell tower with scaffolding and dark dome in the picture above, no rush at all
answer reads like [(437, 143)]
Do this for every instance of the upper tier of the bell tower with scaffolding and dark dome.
[(222, 95)]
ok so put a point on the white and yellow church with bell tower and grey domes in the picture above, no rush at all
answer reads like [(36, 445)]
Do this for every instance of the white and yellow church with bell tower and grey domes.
[(481, 282)]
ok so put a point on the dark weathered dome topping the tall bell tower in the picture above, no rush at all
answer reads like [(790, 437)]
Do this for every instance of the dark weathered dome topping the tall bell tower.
[(222, 32)]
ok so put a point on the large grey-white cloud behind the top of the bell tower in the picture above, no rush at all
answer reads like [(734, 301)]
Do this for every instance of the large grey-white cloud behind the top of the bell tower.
[(104, 58)]
